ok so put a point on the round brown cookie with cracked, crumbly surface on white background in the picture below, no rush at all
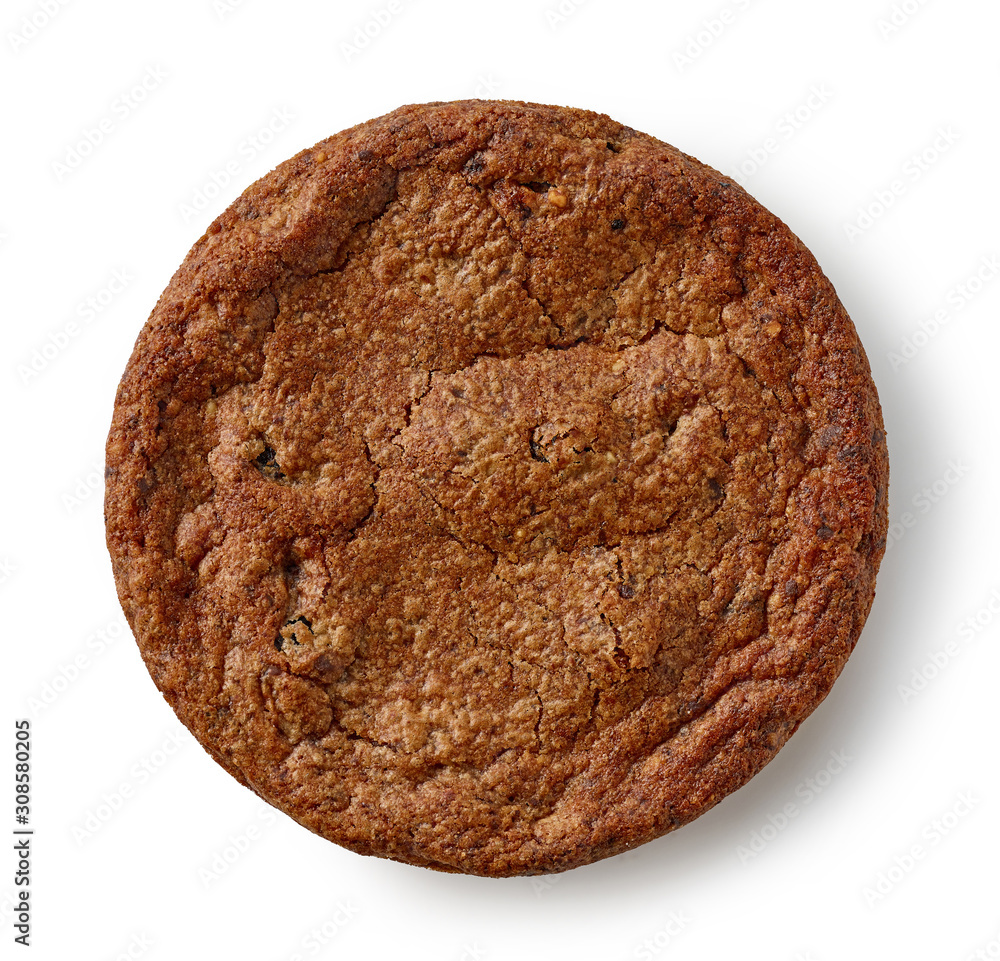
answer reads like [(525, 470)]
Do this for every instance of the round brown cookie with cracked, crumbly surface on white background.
[(496, 488)]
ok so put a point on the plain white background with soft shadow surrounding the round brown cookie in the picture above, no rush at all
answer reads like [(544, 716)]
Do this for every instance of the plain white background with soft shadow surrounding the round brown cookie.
[(143, 846)]
